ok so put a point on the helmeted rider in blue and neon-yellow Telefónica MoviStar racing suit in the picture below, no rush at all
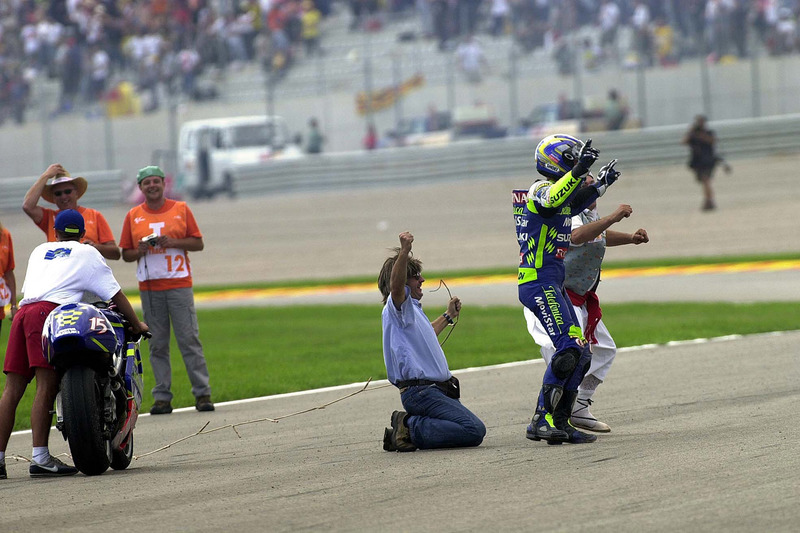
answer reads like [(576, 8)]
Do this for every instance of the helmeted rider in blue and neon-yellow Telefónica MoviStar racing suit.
[(544, 228)]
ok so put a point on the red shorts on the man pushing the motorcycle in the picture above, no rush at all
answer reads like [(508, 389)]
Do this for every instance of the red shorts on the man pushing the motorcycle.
[(24, 352)]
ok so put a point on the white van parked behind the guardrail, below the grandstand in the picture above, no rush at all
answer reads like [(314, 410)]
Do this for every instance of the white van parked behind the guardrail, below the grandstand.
[(209, 151)]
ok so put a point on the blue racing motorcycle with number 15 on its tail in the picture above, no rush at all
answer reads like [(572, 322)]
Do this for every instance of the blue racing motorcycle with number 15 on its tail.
[(100, 393)]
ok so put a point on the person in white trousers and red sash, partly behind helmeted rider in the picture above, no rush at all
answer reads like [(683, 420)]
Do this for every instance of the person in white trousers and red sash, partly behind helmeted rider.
[(590, 236)]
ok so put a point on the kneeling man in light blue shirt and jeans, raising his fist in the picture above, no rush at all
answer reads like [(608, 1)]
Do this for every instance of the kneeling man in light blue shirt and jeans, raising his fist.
[(416, 364)]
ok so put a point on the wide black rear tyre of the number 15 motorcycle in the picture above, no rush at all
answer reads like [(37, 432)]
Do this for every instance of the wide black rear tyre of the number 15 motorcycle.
[(82, 402)]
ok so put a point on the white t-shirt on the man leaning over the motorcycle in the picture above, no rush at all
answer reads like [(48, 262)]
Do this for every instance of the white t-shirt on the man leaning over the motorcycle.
[(60, 272)]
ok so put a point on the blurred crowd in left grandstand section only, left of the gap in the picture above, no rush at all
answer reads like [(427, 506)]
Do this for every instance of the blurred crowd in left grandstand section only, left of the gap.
[(86, 43)]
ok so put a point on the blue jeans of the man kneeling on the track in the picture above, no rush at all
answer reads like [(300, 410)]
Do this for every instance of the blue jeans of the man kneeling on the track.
[(437, 421)]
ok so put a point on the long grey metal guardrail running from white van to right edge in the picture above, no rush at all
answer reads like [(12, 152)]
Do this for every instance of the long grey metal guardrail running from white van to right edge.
[(737, 139)]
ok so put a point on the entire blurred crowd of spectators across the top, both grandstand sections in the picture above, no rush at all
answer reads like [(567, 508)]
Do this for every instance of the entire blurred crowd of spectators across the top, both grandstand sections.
[(165, 44)]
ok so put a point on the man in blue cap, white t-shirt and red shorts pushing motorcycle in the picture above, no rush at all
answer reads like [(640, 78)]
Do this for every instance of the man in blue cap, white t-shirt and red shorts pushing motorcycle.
[(58, 273)]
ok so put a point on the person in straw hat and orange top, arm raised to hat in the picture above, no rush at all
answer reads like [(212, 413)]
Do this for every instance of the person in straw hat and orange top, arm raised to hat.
[(65, 191)]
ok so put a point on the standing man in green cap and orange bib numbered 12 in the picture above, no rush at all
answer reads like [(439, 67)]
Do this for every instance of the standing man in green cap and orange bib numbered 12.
[(157, 235)]
